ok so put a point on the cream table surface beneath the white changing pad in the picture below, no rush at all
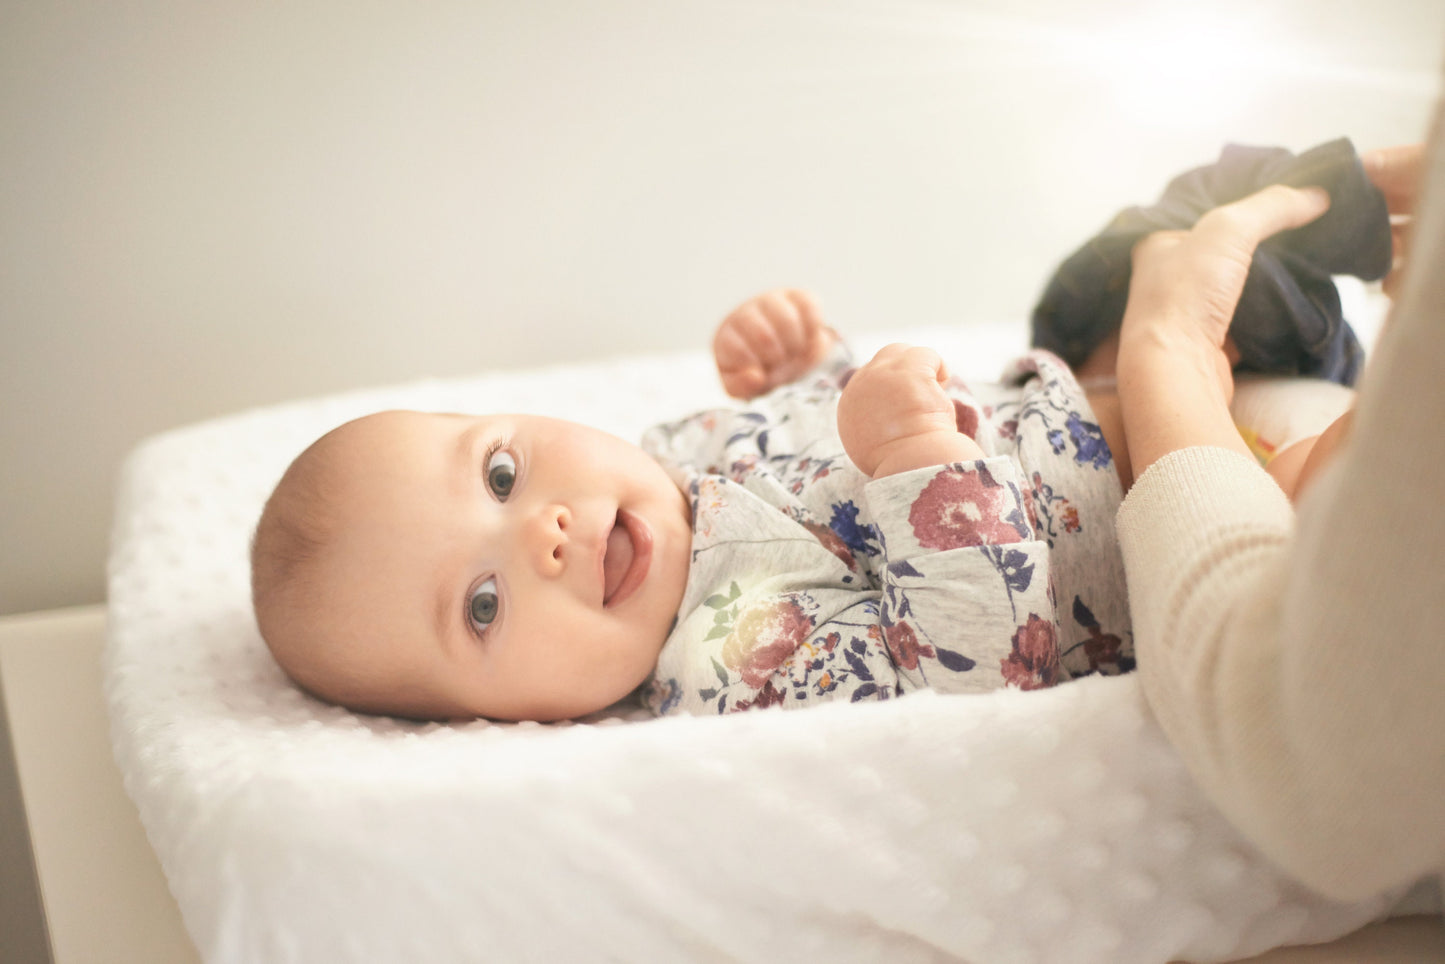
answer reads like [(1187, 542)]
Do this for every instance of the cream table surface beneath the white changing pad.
[(100, 887)]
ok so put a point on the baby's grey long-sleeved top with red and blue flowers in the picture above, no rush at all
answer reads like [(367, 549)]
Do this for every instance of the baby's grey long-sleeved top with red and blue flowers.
[(808, 582)]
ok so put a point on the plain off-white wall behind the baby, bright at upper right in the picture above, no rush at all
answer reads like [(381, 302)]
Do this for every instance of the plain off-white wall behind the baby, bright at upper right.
[(206, 207)]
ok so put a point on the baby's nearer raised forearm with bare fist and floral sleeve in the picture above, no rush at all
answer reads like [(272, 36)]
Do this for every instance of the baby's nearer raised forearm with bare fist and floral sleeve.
[(966, 577)]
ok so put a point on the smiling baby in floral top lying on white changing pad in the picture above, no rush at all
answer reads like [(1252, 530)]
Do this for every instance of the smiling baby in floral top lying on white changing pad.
[(853, 534)]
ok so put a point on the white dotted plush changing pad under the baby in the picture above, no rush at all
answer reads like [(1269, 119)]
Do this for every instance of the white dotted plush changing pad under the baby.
[(1054, 826)]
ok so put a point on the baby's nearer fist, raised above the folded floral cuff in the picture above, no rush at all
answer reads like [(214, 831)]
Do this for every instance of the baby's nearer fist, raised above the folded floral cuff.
[(895, 417)]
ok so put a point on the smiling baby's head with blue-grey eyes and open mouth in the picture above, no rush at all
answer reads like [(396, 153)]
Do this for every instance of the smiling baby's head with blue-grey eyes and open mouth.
[(450, 567)]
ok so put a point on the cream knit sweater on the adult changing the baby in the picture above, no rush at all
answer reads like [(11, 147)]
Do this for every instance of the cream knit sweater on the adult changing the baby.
[(1298, 661)]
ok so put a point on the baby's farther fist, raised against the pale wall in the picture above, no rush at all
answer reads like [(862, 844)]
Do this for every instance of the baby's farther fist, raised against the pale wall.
[(768, 342)]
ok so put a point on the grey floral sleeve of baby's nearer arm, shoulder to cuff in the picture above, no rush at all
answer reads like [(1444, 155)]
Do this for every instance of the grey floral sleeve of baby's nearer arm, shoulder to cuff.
[(949, 592)]
